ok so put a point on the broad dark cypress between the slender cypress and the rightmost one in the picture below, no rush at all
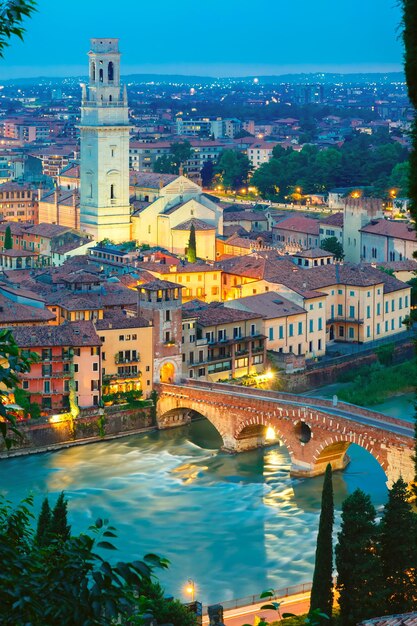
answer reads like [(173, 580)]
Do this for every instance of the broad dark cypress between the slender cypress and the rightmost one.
[(357, 564)]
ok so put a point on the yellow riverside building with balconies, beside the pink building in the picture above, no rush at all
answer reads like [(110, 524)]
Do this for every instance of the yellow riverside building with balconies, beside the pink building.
[(126, 353)]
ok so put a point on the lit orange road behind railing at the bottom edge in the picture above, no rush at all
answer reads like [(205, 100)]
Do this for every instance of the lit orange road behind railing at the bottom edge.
[(298, 604)]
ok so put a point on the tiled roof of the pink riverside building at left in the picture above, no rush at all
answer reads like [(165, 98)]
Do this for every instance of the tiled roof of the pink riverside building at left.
[(68, 334)]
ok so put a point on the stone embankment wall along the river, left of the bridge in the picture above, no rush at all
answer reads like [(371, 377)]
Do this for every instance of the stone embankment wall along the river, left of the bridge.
[(92, 425)]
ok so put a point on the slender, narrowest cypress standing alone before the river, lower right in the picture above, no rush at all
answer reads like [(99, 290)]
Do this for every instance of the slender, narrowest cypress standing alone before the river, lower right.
[(322, 589)]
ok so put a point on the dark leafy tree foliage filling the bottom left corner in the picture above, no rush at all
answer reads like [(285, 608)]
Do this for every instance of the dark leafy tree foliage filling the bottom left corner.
[(72, 586)]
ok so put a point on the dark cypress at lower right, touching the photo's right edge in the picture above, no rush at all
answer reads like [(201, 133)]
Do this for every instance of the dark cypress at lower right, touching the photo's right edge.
[(398, 551)]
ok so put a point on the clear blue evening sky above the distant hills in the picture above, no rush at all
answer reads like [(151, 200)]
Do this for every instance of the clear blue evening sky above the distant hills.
[(212, 37)]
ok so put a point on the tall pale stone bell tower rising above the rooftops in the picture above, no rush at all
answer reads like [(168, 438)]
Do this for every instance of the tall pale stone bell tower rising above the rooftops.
[(104, 138)]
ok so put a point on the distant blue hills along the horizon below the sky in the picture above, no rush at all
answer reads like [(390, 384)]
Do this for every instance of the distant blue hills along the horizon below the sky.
[(179, 79)]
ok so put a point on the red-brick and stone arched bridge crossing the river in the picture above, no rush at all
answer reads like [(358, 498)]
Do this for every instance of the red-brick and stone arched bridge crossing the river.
[(315, 431)]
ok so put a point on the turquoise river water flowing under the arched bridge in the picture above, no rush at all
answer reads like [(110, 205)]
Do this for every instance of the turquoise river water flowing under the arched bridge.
[(236, 525)]
